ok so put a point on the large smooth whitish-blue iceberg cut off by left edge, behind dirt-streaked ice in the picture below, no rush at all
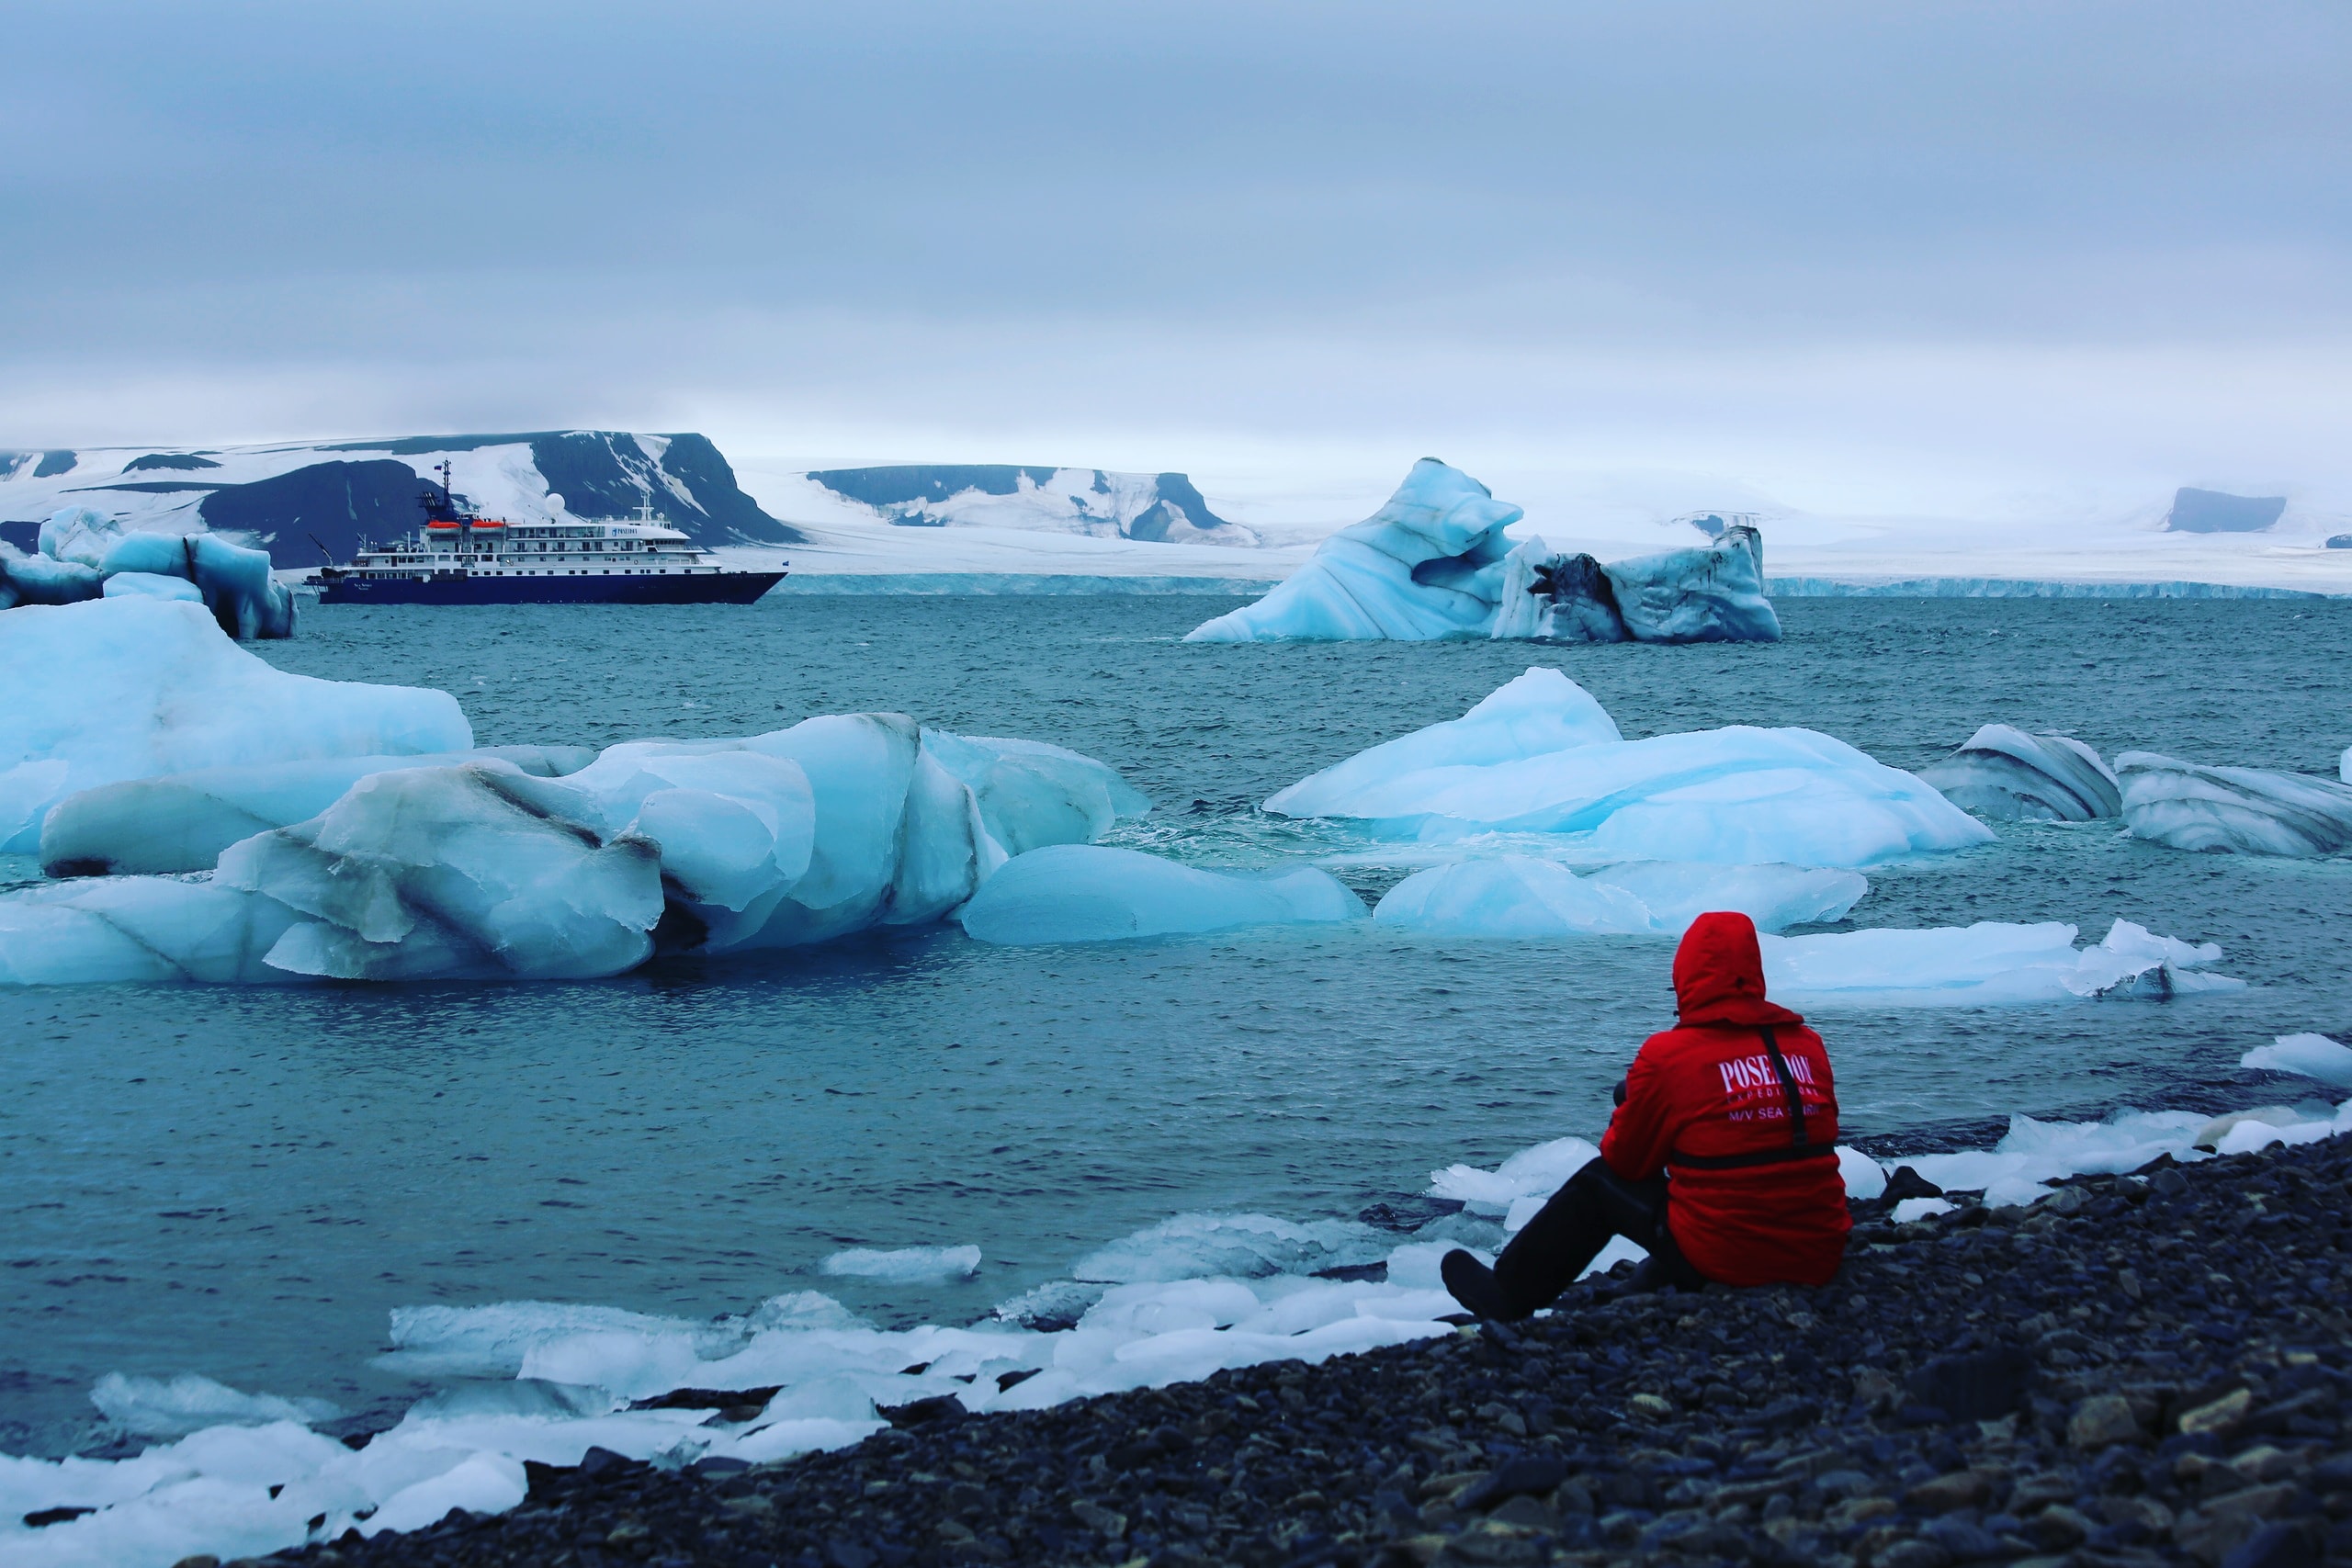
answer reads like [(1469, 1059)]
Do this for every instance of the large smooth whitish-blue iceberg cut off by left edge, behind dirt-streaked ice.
[(138, 688)]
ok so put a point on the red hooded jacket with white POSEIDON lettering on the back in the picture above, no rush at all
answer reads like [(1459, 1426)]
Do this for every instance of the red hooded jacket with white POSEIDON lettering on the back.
[(1709, 1106)]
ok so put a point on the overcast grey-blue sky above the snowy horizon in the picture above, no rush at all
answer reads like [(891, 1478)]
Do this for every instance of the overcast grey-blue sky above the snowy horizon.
[(1878, 255)]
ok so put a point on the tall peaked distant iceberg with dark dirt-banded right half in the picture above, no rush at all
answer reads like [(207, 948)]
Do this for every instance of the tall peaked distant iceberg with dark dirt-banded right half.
[(1434, 563)]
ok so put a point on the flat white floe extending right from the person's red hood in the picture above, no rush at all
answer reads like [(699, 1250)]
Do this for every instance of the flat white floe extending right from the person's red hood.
[(1989, 963)]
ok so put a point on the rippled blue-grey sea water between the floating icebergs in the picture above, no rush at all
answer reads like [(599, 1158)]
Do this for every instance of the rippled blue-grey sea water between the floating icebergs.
[(243, 1184)]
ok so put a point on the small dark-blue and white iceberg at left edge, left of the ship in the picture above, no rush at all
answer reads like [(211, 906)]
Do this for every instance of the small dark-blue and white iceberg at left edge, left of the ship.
[(88, 556)]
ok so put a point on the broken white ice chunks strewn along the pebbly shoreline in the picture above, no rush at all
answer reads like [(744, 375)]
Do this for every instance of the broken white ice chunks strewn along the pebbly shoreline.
[(1170, 1304)]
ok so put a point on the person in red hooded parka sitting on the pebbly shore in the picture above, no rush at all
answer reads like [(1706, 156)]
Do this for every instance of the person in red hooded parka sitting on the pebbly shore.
[(1720, 1158)]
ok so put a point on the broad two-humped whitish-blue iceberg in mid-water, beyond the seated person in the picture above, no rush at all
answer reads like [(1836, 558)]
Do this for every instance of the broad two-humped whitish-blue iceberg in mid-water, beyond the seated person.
[(1539, 756)]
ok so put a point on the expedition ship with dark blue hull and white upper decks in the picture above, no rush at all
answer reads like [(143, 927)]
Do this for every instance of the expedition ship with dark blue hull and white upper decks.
[(462, 558)]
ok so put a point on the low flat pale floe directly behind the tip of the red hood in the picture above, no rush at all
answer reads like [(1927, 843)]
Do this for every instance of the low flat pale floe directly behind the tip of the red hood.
[(1525, 897)]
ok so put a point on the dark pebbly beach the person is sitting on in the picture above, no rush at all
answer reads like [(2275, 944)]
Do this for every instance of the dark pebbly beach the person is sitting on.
[(2139, 1369)]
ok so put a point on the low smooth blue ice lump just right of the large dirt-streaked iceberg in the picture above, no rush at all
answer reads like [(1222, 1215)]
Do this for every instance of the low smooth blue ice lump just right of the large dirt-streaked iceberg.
[(1093, 894)]
